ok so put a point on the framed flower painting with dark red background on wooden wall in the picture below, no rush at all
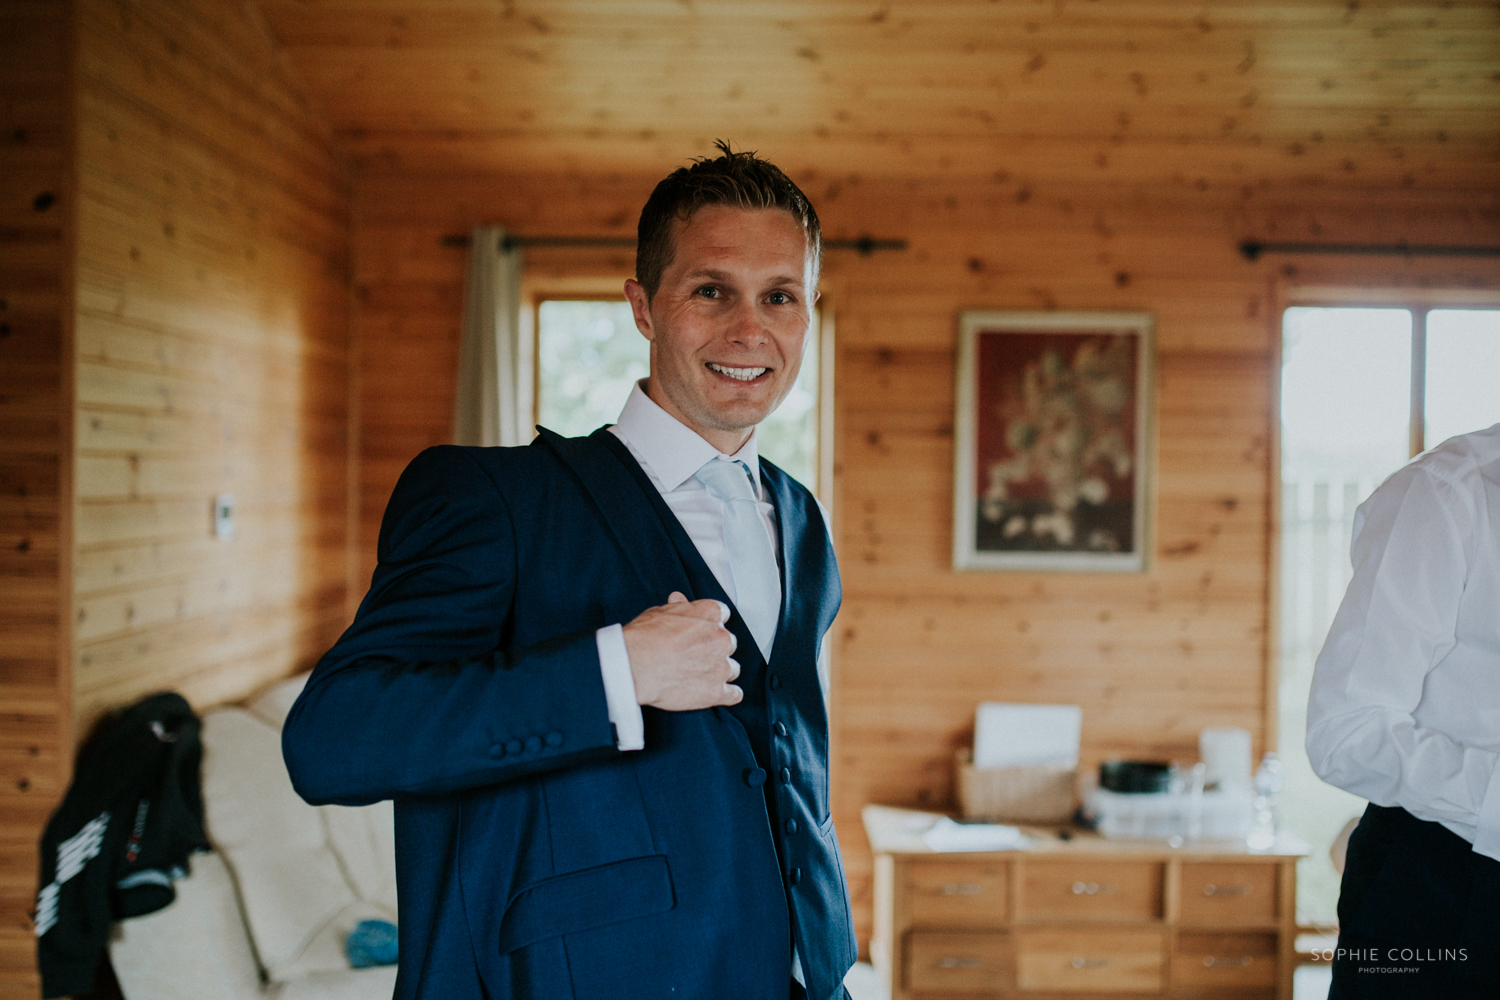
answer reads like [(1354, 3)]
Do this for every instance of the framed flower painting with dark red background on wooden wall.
[(1054, 442)]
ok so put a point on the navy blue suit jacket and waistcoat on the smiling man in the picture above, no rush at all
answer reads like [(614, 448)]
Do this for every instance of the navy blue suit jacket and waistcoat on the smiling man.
[(533, 858)]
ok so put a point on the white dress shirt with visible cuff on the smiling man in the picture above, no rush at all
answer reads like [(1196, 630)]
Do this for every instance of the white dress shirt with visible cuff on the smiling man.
[(671, 454)]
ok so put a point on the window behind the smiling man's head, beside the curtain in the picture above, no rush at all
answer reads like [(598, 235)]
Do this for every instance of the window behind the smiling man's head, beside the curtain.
[(590, 356)]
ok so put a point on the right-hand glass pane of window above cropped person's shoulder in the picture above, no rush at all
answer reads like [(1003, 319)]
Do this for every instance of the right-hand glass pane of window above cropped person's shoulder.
[(1463, 373)]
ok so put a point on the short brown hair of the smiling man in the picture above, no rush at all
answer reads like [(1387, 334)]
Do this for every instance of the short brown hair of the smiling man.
[(742, 179)]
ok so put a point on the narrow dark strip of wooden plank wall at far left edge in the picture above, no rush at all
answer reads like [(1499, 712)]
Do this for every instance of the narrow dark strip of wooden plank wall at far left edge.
[(35, 395)]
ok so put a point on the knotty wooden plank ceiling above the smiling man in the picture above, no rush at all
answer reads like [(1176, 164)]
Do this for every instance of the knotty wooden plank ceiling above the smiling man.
[(1232, 95)]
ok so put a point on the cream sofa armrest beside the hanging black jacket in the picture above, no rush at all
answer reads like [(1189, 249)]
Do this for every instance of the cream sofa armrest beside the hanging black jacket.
[(196, 948)]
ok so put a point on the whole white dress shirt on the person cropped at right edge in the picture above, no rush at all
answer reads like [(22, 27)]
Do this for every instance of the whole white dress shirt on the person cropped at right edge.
[(1406, 696)]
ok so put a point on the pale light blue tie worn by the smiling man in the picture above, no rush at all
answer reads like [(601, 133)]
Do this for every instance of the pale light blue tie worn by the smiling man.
[(752, 563)]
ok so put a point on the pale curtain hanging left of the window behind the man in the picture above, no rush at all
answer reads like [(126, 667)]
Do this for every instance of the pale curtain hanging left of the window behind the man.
[(494, 397)]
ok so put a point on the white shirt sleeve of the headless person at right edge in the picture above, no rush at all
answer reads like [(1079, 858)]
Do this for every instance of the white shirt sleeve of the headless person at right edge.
[(1399, 621)]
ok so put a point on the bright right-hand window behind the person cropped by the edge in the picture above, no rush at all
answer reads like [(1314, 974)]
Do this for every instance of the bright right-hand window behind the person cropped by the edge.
[(1363, 391)]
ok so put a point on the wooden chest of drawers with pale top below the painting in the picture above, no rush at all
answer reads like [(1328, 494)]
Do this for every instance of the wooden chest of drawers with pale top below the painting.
[(1081, 918)]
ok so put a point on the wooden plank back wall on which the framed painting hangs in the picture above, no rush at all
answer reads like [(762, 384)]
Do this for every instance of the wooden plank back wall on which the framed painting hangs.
[(1151, 659)]
